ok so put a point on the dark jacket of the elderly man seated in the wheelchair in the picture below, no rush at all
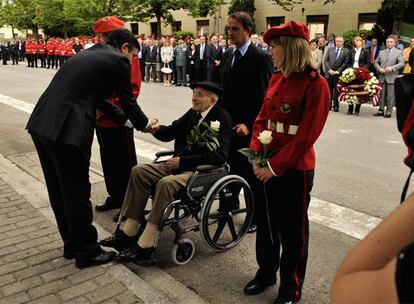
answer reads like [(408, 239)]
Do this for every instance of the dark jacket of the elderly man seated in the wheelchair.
[(191, 158)]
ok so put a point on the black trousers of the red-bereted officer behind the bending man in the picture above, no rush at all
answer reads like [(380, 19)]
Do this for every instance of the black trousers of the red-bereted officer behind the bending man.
[(118, 157)]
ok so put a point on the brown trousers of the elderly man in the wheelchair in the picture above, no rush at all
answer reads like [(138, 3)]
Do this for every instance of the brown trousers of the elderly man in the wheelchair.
[(143, 179)]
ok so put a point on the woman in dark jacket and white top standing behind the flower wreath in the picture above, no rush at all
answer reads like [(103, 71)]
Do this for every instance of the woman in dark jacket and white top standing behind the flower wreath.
[(358, 58)]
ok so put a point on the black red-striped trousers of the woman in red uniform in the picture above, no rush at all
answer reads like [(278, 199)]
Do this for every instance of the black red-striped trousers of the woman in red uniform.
[(283, 223)]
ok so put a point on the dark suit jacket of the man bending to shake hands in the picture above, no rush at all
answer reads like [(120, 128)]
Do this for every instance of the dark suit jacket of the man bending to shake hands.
[(66, 110)]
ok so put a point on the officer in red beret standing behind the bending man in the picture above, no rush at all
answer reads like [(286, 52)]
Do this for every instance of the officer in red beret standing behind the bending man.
[(116, 142)]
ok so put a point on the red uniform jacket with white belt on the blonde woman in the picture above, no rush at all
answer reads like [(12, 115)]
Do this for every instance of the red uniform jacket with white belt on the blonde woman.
[(295, 109)]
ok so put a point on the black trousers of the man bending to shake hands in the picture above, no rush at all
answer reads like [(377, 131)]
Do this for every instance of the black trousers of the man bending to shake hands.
[(66, 171)]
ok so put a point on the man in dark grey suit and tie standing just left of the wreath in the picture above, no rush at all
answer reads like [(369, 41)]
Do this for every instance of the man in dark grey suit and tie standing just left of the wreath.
[(336, 60)]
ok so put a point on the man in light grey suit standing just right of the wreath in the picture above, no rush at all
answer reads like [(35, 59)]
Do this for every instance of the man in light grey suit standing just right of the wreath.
[(388, 65)]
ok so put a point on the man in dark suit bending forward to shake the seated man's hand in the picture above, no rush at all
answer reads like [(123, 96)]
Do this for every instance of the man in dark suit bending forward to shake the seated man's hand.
[(62, 126)]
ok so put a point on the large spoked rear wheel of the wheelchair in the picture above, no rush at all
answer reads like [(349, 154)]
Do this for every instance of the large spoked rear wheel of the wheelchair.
[(223, 224)]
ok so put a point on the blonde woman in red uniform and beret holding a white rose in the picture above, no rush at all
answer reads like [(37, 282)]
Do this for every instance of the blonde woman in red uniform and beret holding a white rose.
[(295, 108)]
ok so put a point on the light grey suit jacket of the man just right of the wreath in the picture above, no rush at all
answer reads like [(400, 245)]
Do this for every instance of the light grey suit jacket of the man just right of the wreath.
[(391, 59)]
